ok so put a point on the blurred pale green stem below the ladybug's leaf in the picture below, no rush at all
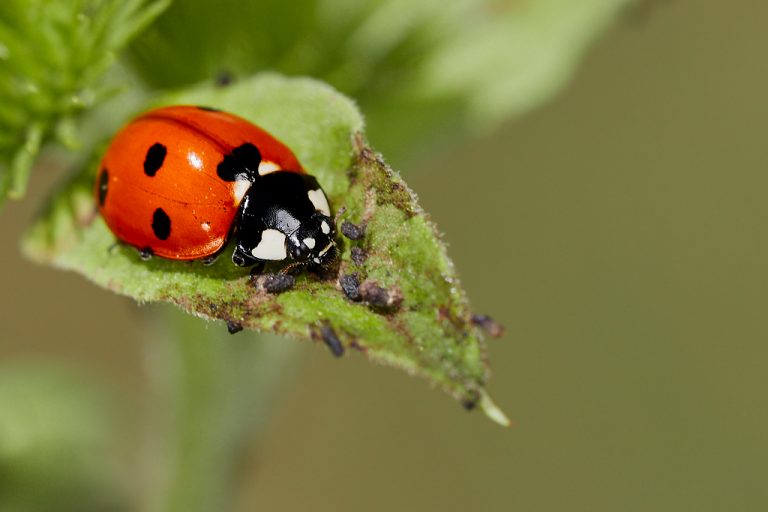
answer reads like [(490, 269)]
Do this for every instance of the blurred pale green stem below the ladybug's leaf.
[(212, 393)]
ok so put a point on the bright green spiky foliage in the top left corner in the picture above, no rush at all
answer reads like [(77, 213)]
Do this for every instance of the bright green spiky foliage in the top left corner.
[(53, 55)]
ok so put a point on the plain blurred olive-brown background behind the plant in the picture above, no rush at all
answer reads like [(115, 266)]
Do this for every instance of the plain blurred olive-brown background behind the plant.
[(620, 235)]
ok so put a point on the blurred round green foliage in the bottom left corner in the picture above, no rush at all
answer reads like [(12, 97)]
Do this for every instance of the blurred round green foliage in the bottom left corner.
[(56, 436)]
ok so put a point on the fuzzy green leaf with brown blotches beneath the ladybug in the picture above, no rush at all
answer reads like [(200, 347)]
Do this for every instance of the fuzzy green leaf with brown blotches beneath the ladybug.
[(425, 330)]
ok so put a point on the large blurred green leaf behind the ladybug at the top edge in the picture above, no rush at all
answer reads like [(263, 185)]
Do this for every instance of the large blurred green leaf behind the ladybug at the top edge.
[(424, 73)]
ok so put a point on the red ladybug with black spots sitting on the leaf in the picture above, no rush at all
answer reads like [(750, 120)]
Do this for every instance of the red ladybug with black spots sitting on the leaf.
[(178, 181)]
